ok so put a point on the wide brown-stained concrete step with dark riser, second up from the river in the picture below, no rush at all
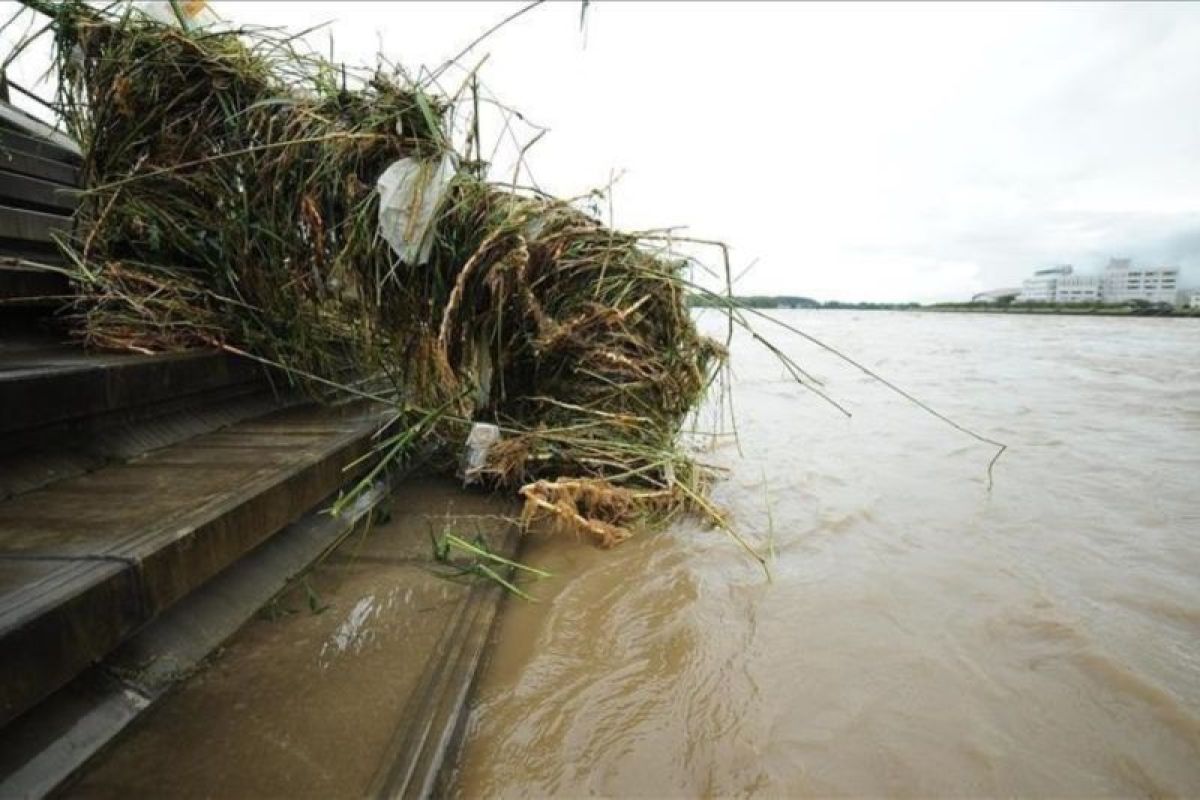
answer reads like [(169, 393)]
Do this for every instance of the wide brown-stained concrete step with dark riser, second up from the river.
[(88, 561)]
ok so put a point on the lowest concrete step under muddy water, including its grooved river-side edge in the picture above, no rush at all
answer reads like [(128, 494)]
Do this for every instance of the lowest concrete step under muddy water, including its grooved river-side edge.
[(353, 683)]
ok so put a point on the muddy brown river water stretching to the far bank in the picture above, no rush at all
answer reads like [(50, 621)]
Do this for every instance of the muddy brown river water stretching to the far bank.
[(922, 635)]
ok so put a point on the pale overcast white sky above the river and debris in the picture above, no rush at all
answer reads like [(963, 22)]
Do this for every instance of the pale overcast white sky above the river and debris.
[(856, 152)]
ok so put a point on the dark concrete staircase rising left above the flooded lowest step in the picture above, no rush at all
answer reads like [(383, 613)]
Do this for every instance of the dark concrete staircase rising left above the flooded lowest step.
[(129, 484)]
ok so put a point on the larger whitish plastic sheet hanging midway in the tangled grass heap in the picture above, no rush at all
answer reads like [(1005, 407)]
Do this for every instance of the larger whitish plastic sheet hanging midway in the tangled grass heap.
[(410, 194)]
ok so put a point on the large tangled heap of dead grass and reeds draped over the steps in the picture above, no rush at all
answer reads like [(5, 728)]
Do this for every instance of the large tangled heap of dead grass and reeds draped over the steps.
[(232, 202)]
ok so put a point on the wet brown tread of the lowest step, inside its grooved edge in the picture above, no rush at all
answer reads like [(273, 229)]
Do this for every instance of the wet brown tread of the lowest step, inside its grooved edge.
[(307, 699)]
